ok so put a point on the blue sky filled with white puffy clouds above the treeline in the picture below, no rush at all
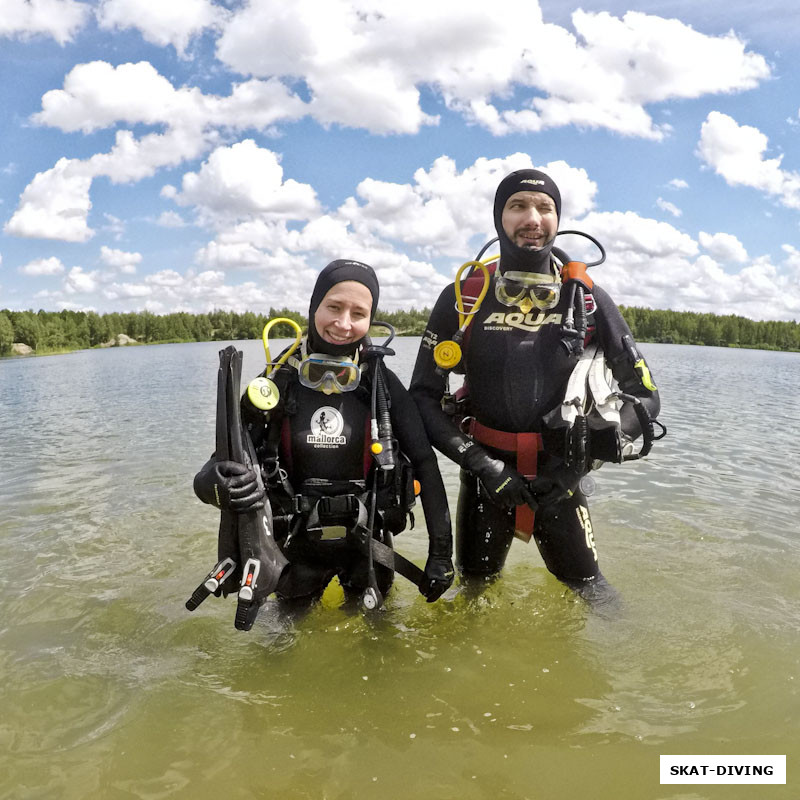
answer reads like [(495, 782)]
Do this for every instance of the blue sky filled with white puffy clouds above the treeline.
[(194, 155)]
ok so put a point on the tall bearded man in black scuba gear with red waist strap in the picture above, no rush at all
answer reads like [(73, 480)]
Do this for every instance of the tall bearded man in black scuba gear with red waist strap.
[(523, 445)]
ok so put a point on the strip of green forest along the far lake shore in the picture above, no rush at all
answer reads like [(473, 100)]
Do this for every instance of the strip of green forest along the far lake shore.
[(58, 331)]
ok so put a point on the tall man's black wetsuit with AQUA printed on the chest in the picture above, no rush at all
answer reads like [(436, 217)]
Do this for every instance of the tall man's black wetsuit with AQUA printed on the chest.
[(516, 371)]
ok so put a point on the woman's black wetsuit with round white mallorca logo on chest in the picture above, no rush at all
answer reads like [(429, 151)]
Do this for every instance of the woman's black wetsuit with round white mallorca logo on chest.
[(319, 445)]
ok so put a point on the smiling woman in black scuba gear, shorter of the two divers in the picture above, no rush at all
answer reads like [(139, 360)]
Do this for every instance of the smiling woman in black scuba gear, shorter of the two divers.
[(333, 484)]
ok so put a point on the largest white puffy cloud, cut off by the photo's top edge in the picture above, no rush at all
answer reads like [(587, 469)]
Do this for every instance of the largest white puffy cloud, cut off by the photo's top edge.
[(364, 64)]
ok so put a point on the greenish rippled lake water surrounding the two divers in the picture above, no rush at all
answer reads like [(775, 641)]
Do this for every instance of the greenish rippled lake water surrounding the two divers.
[(112, 690)]
